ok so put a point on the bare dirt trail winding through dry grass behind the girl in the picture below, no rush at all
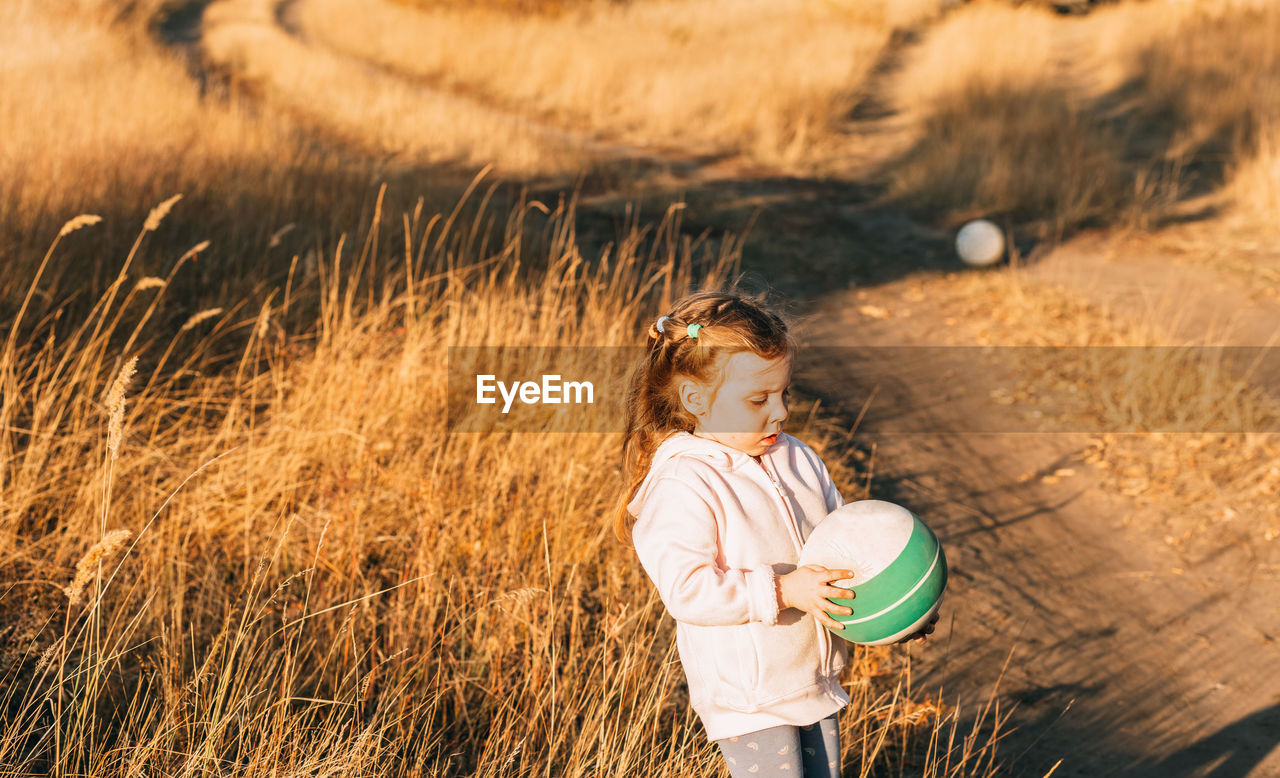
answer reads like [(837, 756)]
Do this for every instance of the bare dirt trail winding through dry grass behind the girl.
[(1131, 658)]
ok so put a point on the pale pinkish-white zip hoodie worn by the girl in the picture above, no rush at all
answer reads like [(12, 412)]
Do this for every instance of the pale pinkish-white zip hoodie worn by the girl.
[(715, 528)]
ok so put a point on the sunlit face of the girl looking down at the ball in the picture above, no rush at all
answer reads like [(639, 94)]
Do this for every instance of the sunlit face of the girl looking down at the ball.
[(748, 410)]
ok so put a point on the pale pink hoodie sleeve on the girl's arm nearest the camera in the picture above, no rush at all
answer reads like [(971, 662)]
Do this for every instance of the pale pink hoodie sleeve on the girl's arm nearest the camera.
[(676, 541)]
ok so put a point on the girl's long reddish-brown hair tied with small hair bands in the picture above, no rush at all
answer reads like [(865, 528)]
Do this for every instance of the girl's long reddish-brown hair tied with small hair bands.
[(730, 324)]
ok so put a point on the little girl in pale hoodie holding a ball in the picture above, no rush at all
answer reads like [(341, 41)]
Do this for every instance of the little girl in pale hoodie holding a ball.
[(724, 500)]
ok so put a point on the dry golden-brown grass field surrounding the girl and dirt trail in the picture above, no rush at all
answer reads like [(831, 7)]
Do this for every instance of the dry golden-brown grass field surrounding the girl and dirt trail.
[(240, 237)]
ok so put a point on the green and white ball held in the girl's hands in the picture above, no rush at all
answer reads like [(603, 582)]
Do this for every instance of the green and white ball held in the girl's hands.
[(900, 570)]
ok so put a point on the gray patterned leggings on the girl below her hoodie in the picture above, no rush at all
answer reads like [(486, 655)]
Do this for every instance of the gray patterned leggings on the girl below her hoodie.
[(812, 752)]
